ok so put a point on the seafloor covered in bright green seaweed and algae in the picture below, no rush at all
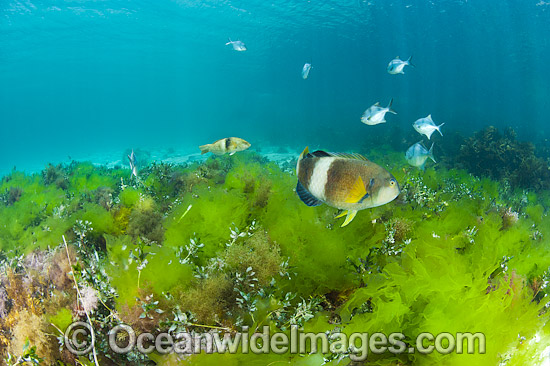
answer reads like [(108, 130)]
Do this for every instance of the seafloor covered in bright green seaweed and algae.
[(216, 244)]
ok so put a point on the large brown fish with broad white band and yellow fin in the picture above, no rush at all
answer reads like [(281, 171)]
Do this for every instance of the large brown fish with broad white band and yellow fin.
[(348, 182)]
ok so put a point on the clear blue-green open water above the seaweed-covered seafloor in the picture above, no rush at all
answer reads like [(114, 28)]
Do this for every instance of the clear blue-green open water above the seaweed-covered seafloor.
[(81, 77)]
